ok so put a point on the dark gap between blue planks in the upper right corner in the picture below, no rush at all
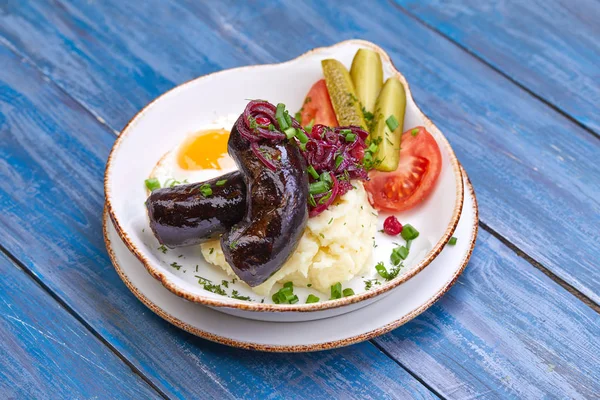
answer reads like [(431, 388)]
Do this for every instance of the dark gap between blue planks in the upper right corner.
[(496, 69)]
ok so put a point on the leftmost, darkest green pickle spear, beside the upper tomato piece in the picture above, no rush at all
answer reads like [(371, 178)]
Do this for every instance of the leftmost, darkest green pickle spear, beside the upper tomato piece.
[(341, 92)]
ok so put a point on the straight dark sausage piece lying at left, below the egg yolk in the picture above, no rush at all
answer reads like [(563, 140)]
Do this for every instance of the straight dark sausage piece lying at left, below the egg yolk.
[(182, 216)]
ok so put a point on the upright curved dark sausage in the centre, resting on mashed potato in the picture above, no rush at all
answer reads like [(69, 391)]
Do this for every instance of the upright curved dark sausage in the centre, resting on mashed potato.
[(276, 209)]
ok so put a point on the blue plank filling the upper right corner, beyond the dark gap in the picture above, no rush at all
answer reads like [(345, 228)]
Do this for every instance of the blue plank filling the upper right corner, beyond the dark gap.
[(550, 47)]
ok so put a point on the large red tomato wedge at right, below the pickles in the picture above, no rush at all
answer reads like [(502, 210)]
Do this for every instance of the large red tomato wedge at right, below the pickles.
[(414, 179)]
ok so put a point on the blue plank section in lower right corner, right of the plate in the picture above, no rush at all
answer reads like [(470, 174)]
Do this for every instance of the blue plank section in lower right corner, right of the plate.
[(505, 330)]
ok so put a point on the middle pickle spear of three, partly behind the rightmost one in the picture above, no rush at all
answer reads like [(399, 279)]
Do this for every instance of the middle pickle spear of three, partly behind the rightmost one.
[(367, 76)]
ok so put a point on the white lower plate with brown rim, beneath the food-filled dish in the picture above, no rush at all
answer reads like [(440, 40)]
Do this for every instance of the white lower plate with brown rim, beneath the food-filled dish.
[(406, 302)]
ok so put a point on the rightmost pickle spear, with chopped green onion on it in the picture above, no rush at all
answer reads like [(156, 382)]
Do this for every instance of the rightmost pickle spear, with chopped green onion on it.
[(389, 113)]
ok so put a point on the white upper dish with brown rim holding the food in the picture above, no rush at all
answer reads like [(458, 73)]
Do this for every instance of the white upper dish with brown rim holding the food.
[(199, 104)]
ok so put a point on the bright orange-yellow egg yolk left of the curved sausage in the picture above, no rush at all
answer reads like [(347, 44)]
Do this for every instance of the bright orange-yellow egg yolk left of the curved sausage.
[(204, 150)]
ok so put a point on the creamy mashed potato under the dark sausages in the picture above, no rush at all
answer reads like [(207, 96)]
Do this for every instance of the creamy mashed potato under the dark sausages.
[(336, 246)]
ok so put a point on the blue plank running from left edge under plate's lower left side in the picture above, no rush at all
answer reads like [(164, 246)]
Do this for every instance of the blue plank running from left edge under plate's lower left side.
[(52, 155)]
